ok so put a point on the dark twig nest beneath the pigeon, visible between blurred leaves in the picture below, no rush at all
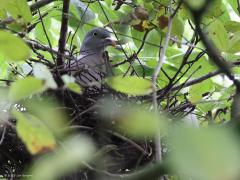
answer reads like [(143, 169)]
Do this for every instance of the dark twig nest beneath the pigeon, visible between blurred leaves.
[(123, 154)]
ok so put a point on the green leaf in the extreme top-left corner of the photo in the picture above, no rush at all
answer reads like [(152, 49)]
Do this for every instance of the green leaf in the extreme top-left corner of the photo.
[(18, 9)]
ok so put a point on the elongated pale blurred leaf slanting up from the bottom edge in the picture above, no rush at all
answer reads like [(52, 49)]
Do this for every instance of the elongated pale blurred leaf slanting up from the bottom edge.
[(72, 154)]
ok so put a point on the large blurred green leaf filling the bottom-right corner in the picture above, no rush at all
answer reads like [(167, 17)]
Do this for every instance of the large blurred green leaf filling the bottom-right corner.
[(205, 154)]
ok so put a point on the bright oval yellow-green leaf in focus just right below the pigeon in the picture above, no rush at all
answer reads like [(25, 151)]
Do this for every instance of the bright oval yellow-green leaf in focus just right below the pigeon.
[(130, 85)]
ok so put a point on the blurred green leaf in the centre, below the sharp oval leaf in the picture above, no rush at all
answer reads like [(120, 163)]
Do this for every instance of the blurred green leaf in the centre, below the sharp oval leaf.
[(135, 120)]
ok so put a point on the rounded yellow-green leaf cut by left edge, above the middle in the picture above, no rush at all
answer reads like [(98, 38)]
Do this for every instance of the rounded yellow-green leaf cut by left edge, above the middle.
[(12, 47)]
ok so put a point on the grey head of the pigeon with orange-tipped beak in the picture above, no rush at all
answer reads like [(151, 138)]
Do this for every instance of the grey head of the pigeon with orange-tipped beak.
[(97, 40)]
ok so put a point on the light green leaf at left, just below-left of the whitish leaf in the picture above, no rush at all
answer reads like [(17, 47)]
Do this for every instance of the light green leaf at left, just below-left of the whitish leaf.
[(23, 88)]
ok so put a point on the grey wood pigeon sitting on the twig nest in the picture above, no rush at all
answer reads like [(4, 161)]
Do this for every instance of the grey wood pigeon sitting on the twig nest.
[(92, 65)]
